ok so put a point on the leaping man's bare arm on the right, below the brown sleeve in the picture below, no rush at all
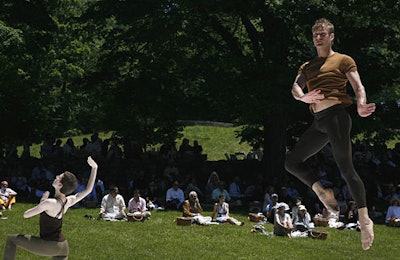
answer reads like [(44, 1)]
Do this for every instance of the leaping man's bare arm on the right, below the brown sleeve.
[(363, 108)]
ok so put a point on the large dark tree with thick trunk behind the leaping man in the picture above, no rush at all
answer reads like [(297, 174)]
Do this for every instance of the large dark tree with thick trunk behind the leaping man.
[(235, 60)]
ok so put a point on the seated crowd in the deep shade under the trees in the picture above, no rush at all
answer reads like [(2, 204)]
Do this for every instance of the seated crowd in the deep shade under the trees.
[(166, 180)]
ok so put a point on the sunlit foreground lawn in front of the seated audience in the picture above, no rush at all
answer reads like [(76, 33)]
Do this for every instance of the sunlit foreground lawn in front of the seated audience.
[(161, 238)]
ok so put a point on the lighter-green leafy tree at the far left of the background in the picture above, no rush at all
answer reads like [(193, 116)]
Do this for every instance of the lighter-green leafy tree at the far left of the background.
[(48, 55)]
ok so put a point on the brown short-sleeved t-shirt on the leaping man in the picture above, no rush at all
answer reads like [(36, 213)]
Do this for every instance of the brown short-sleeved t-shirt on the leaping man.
[(328, 74)]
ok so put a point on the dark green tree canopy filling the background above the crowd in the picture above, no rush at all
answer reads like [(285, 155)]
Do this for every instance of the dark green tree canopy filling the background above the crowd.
[(137, 67)]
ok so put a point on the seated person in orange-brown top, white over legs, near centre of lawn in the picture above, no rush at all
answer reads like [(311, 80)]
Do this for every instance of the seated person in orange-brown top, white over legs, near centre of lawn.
[(192, 208)]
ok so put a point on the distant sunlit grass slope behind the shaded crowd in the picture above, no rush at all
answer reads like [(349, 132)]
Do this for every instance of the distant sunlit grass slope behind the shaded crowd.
[(216, 141)]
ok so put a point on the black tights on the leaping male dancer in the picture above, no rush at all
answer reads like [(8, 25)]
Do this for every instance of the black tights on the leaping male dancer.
[(333, 126)]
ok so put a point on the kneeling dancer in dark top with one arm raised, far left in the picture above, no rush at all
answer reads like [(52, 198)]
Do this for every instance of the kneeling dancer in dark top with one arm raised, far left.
[(51, 241)]
